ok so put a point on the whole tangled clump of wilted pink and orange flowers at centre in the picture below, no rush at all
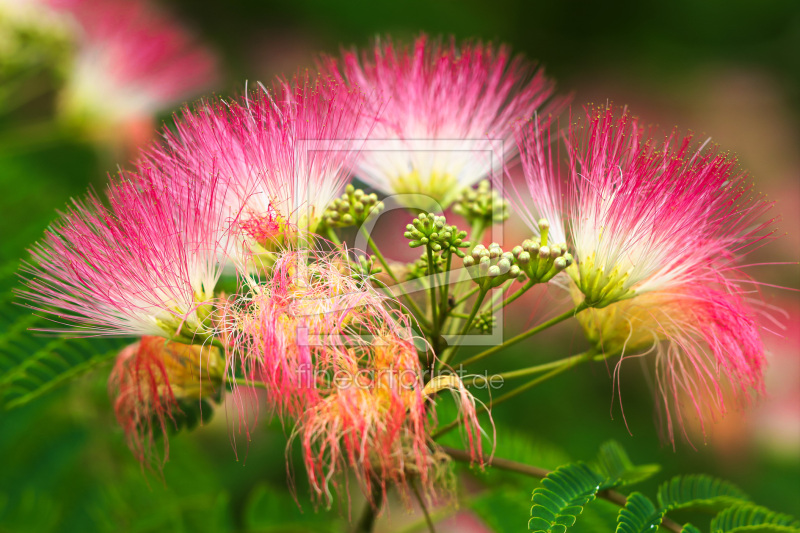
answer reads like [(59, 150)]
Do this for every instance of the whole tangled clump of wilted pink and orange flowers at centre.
[(336, 355)]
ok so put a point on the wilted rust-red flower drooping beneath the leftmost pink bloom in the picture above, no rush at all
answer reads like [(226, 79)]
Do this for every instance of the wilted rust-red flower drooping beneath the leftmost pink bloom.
[(149, 381)]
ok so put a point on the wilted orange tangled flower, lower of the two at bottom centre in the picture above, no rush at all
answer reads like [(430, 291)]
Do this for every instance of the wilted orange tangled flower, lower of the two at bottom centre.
[(372, 421)]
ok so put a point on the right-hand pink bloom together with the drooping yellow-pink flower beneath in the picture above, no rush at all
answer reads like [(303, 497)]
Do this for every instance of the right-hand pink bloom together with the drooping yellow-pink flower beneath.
[(658, 231)]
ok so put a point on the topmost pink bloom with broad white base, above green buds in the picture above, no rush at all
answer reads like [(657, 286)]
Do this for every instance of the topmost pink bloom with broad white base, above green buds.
[(442, 109)]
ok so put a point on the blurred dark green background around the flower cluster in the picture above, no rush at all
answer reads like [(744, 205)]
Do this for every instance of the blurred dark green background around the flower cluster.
[(726, 69)]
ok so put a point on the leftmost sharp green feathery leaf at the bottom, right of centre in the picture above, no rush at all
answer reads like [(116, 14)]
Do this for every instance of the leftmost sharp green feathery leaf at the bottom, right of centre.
[(560, 499)]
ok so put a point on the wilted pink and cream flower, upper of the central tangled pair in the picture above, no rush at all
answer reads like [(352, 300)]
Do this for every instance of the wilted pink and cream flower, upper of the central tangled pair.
[(288, 332)]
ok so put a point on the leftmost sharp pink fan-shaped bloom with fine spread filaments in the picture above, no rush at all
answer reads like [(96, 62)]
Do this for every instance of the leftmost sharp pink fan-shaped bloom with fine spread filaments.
[(146, 265)]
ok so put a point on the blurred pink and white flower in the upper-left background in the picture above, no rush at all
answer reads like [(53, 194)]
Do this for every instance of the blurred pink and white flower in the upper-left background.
[(131, 61)]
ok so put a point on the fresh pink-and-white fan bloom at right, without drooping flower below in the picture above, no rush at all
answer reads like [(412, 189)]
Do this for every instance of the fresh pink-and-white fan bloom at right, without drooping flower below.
[(642, 215)]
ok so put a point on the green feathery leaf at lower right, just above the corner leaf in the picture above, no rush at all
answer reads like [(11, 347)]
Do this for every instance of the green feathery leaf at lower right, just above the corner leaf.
[(699, 490)]
